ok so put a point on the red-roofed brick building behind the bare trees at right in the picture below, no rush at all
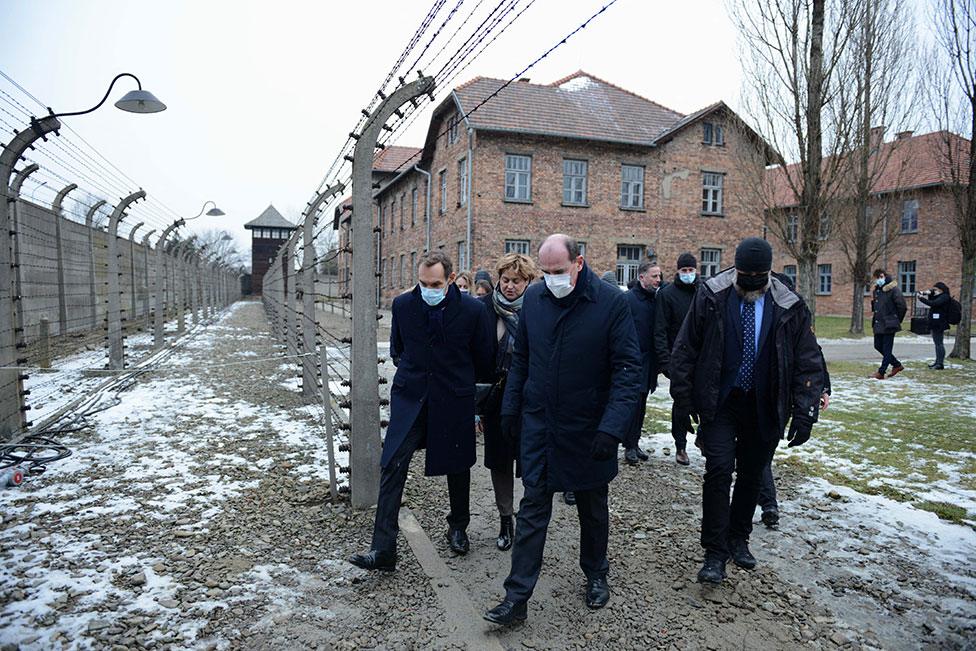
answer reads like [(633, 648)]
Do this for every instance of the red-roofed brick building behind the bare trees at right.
[(917, 240)]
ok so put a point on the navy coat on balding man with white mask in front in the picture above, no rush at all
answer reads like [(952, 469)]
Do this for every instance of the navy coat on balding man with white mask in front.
[(575, 372)]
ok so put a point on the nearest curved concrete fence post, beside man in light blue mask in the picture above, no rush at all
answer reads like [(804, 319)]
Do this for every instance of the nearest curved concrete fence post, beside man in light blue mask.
[(365, 407)]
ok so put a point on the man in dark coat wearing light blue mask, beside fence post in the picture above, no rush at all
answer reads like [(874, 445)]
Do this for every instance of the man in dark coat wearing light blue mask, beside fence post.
[(441, 343)]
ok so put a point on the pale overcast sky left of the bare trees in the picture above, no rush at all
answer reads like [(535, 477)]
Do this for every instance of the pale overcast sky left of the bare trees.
[(261, 95)]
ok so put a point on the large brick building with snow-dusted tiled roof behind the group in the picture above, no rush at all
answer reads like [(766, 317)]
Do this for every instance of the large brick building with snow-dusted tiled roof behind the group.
[(628, 178)]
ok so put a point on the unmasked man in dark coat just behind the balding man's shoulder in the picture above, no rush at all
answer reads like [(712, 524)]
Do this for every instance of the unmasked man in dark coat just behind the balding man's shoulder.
[(640, 297)]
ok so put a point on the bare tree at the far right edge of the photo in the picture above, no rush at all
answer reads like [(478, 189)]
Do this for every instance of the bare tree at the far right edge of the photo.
[(953, 100)]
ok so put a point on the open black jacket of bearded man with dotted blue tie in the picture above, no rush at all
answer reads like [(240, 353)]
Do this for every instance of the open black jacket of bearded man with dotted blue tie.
[(696, 361)]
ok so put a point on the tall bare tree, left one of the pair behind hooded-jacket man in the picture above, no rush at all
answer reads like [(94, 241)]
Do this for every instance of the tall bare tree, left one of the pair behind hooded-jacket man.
[(797, 96)]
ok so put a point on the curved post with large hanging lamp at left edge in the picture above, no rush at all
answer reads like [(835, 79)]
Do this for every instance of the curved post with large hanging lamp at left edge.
[(12, 409)]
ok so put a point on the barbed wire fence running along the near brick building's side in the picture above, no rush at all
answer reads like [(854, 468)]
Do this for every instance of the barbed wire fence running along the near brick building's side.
[(342, 378)]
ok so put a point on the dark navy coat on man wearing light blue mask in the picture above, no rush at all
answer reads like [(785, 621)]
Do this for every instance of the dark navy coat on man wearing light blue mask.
[(438, 364)]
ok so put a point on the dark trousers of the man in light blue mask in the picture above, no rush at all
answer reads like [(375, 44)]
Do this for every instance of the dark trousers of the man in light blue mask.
[(394, 477)]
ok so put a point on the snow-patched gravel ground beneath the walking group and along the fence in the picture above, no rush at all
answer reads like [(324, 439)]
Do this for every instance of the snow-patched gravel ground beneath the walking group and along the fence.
[(195, 513)]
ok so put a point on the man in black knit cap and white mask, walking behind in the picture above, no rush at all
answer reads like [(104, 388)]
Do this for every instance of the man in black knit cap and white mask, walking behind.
[(671, 305)]
